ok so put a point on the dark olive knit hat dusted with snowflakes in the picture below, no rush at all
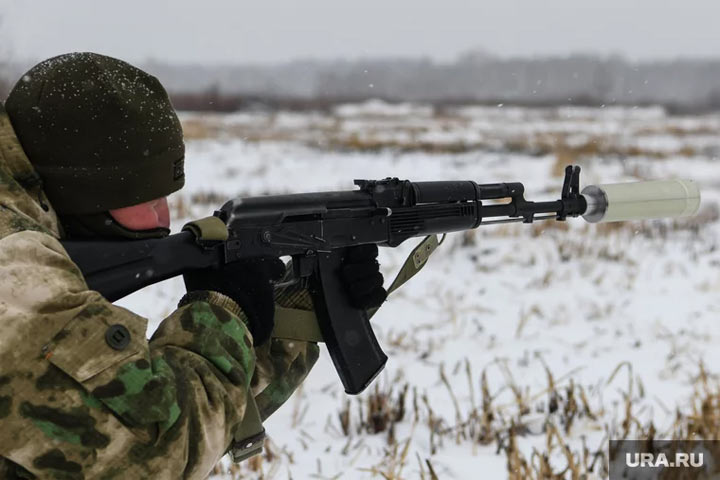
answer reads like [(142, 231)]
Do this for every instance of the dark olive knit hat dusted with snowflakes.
[(101, 133)]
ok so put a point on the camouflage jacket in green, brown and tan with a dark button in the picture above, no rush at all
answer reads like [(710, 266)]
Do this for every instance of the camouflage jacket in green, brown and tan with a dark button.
[(71, 405)]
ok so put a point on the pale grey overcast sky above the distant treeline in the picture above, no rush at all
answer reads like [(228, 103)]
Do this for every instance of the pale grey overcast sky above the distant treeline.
[(239, 31)]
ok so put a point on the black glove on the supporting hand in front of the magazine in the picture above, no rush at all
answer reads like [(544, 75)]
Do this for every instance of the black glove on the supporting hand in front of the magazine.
[(360, 273)]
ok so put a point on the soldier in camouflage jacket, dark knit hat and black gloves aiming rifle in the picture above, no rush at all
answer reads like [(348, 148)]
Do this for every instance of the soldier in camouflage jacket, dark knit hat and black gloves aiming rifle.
[(83, 393)]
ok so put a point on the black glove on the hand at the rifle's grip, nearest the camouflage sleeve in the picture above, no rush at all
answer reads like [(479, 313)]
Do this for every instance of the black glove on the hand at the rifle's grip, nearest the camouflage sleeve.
[(248, 282)]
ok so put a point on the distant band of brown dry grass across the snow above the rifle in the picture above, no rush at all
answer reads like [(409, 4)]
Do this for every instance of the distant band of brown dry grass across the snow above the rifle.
[(403, 135)]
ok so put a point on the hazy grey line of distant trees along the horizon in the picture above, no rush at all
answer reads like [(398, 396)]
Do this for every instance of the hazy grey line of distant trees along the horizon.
[(477, 76)]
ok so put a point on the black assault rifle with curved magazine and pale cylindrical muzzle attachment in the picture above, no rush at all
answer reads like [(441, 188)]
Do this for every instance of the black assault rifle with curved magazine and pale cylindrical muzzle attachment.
[(315, 229)]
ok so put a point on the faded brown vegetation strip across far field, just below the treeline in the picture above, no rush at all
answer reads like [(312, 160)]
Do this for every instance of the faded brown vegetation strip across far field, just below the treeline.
[(444, 133)]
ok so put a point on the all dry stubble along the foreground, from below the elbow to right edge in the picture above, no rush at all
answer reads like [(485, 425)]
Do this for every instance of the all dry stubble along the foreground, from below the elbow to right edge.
[(556, 415)]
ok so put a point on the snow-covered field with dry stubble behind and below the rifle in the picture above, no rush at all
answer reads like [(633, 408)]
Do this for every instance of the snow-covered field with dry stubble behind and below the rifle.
[(517, 342)]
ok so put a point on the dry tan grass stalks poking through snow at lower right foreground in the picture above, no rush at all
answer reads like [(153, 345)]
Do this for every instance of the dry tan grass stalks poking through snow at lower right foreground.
[(564, 405)]
